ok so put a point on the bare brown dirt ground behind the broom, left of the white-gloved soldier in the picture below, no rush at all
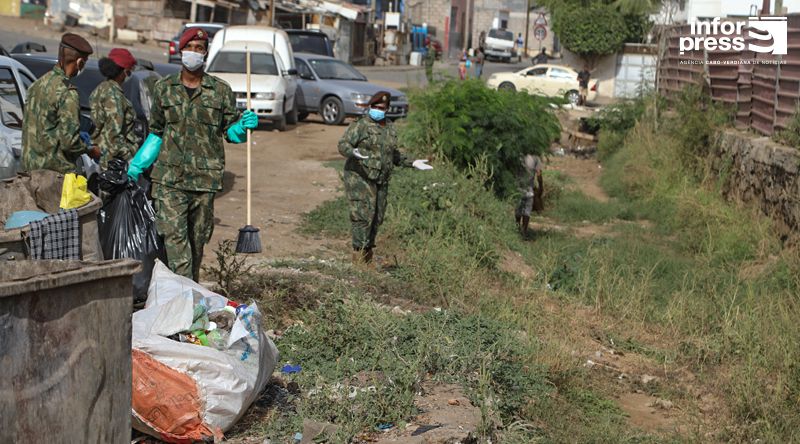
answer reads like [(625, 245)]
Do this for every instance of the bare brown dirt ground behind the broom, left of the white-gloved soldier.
[(289, 179)]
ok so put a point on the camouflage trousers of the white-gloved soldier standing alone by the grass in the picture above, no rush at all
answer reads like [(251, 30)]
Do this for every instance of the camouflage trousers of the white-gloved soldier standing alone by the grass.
[(367, 208)]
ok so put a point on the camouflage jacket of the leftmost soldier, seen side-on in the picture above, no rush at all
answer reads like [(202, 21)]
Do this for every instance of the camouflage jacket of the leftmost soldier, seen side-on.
[(51, 129)]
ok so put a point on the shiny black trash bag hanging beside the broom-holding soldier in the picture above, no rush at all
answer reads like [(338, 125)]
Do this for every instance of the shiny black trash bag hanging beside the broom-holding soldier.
[(128, 230)]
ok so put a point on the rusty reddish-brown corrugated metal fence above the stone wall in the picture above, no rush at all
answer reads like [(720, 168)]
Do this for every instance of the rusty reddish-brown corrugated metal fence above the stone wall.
[(763, 88)]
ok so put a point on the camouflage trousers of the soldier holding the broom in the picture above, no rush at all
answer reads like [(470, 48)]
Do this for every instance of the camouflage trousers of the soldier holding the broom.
[(186, 221)]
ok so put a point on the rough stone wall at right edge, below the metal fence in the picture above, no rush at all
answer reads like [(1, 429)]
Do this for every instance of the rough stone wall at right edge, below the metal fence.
[(759, 172)]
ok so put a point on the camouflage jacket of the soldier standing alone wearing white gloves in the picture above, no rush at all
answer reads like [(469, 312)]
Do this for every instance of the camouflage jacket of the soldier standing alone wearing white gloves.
[(377, 142)]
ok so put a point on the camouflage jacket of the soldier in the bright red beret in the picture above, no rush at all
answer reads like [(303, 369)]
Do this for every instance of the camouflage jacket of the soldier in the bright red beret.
[(114, 118)]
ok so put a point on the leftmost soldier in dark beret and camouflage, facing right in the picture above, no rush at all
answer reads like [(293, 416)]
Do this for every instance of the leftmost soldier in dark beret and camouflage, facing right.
[(51, 136)]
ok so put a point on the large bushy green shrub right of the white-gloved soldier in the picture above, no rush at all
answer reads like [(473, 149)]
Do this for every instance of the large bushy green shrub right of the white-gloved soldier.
[(481, 131)]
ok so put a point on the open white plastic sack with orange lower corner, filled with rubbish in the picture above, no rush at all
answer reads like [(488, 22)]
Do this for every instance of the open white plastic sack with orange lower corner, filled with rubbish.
[(227, 381)]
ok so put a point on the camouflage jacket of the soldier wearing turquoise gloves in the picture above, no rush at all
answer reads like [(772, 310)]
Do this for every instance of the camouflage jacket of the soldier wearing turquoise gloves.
[(192, 156)]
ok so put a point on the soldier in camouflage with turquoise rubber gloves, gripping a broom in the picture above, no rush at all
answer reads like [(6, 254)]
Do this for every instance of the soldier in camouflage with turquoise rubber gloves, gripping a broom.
[(191, 114)]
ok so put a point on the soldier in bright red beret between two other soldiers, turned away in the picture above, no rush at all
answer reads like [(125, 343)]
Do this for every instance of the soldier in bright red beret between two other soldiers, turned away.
[(112, 112)]
